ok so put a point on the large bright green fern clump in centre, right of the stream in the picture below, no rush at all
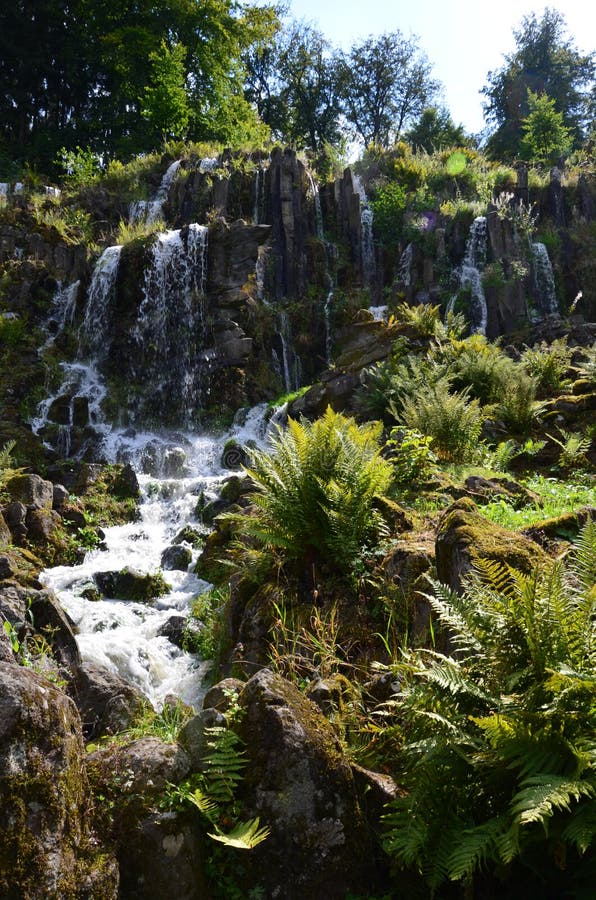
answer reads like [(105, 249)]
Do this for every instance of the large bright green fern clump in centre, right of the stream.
[(315, 491)]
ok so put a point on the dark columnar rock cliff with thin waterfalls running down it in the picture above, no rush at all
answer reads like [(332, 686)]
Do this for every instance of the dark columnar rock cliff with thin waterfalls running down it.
[(186, 326)]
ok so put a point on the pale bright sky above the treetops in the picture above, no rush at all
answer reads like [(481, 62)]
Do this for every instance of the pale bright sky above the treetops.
[(463, 40)]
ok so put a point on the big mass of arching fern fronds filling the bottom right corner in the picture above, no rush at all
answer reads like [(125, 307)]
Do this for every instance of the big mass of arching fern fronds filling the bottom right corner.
[(499, 760)]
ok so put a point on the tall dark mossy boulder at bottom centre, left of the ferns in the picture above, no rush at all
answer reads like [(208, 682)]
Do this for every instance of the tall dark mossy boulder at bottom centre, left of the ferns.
[(300, 784)]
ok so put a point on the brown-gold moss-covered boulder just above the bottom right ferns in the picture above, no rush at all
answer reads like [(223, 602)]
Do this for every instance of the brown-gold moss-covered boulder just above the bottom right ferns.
[(464, 535)]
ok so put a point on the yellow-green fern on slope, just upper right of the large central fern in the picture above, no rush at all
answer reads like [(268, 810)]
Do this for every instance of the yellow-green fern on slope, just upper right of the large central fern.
[(452, 420)]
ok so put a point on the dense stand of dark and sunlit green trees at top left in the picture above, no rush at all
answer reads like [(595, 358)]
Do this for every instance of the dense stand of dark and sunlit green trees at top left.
[(88, 73)]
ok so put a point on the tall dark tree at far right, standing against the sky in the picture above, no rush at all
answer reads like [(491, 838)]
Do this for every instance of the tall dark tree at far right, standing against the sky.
[(546, 62)]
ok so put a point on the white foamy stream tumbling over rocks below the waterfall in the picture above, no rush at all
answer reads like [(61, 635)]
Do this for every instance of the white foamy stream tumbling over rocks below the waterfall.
[(124, 636)]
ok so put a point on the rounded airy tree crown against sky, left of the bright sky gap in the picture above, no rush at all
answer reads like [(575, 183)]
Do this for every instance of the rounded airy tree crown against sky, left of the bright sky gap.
[(385, 83)]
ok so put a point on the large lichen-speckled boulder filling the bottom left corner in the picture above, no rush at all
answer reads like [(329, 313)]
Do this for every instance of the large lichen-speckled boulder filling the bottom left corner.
[(46, 849)]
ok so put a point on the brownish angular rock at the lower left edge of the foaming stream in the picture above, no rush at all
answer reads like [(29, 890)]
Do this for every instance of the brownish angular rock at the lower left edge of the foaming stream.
[(106, 702)]
